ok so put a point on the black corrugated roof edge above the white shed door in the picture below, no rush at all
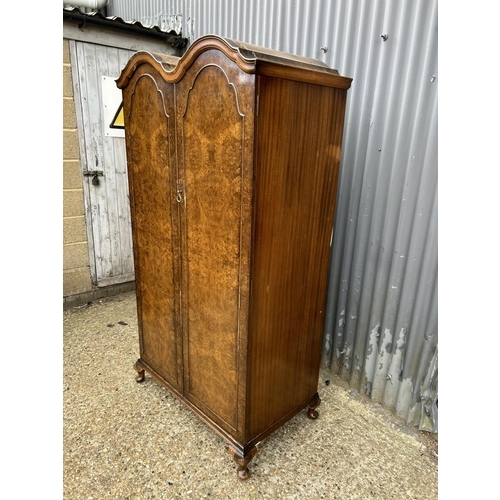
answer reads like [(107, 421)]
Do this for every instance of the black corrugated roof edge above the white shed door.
[(116, 23)]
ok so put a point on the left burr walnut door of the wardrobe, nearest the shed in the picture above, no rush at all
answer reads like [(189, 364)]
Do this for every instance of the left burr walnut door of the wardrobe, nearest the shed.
[(150, 137)]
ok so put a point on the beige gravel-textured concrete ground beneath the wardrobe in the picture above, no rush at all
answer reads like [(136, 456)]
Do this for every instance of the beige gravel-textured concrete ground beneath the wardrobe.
[(127, 441)]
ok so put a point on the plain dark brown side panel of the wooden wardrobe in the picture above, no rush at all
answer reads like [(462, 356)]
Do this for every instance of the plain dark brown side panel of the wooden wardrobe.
[(299, 136)]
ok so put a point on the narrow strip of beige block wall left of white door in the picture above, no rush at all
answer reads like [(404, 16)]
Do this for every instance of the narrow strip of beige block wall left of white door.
[(76, 271)]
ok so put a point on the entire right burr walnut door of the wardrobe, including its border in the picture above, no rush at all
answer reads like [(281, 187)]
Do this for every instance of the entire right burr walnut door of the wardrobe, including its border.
[(212, 120)]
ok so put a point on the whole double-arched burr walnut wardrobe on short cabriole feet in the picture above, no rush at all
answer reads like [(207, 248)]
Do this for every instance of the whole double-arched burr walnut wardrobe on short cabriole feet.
[(233, 168)]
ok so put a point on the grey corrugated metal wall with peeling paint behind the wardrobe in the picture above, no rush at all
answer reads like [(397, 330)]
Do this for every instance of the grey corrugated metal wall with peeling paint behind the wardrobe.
[(381, 329)]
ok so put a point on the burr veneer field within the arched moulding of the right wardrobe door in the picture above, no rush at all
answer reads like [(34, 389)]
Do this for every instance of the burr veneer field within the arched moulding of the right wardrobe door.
[(213, 135)]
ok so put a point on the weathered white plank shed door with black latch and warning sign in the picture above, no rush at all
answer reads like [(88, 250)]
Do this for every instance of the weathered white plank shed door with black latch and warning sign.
[(104, 165)]
